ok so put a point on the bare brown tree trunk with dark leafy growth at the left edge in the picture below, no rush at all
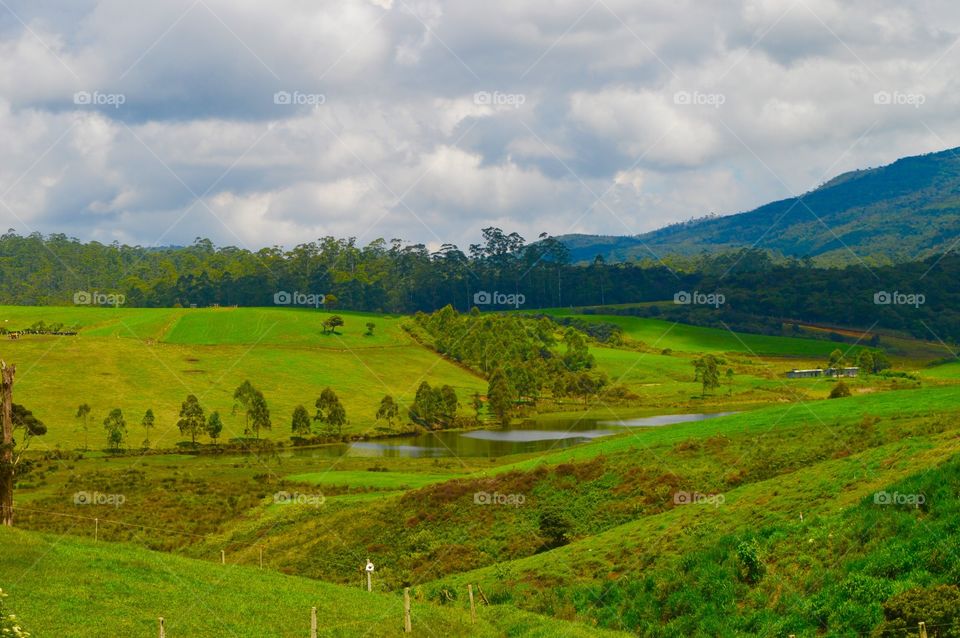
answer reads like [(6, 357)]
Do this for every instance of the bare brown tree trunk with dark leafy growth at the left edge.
[(13, 417)]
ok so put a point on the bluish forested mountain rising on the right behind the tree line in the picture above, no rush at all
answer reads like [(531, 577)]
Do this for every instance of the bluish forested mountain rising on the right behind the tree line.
[(907, 210)]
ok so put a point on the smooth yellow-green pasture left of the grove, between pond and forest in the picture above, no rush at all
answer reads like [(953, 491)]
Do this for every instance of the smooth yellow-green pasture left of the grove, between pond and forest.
[(137, 359)]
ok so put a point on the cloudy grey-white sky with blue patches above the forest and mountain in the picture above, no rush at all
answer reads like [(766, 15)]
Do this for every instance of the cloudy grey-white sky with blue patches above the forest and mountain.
[(259, 123)]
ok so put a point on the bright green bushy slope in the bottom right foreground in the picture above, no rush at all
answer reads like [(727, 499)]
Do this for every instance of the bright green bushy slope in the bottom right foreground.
[(824, 550)]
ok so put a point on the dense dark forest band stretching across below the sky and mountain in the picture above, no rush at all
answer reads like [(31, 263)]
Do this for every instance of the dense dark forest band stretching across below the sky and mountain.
[(502, 272)]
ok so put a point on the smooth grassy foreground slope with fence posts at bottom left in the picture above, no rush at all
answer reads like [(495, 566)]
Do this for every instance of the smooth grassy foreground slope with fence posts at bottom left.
[(67, 587)]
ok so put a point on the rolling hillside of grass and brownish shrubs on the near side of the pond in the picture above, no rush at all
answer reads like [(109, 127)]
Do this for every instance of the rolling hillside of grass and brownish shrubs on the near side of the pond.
[(637, 559)]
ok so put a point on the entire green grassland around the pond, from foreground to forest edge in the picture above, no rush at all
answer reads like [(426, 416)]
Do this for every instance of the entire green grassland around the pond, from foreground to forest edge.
[(629, 556)]
